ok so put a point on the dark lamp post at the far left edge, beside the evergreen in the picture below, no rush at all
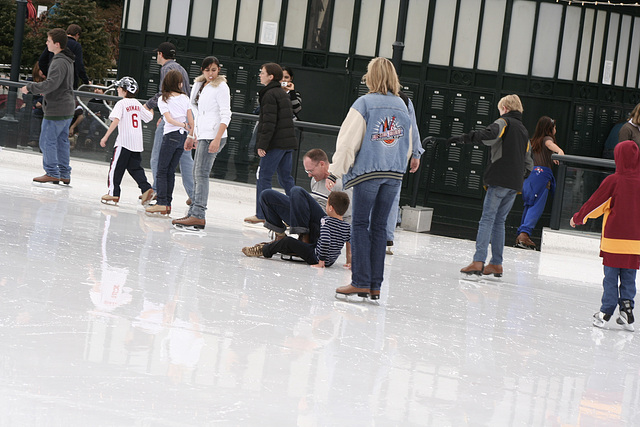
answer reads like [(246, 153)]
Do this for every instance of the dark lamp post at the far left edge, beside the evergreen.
[(9, 120)]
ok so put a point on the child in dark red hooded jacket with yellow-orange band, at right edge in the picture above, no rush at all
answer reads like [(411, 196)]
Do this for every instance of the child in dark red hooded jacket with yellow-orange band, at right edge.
[(618, 199)]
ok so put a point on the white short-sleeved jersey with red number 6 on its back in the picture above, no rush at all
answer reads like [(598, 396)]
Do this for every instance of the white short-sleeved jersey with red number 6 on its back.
[(130, 114)]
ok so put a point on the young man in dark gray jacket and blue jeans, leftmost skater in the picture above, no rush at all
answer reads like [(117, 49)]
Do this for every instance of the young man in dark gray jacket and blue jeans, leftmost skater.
[(58, 105)]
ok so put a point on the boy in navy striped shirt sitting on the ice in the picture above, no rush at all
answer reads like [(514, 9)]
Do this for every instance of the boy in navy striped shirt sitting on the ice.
[(334, 234)]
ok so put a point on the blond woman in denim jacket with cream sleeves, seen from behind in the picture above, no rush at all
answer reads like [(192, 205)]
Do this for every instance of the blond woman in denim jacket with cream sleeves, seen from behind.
[(373, 149)]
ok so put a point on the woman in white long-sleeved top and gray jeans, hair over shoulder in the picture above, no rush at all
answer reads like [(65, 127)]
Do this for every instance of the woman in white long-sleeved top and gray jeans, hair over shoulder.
[(211, 106)]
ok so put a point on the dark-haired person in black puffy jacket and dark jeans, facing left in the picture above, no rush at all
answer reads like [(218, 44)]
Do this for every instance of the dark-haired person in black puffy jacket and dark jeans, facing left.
[(276, 139)]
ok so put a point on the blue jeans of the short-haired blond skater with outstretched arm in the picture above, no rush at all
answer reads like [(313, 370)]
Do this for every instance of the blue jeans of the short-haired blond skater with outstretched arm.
[(497, 204)]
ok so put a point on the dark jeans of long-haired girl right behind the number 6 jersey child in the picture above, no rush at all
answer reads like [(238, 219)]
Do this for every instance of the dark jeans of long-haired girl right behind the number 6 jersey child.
[(170, 153)]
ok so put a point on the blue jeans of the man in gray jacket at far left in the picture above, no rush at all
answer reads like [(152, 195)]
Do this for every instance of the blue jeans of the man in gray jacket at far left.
[(54, 144)]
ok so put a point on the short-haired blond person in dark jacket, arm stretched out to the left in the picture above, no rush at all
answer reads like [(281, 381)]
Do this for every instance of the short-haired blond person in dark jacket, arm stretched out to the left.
[(510, 162)]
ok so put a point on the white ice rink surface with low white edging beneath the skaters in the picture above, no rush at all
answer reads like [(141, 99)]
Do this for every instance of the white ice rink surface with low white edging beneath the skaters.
[(111, 318)]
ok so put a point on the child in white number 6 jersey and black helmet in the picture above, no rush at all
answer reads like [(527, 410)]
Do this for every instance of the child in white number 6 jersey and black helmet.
[(127, 116)]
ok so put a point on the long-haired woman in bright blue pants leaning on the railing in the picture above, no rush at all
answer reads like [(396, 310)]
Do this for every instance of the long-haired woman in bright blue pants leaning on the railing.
[(540, 182)]
